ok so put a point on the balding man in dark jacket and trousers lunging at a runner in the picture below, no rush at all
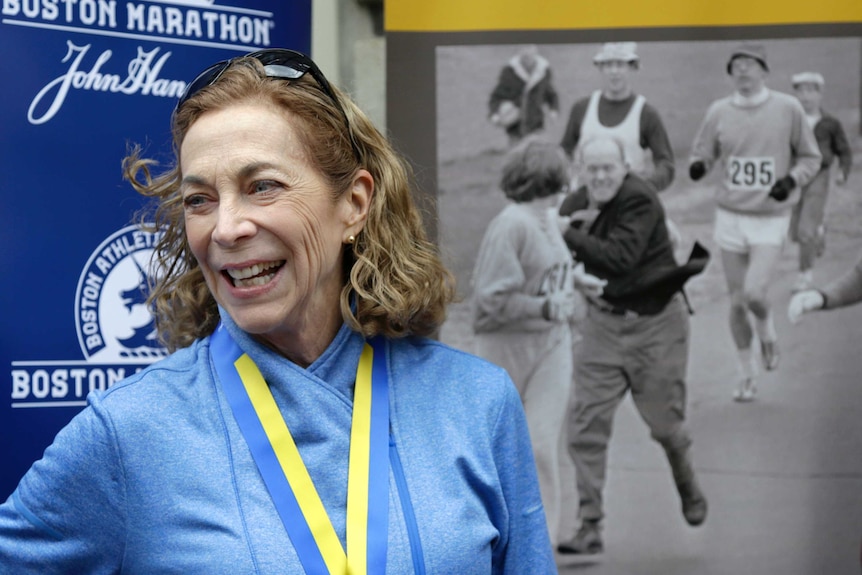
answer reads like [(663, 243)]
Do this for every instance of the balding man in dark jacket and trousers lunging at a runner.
[(635, 336)]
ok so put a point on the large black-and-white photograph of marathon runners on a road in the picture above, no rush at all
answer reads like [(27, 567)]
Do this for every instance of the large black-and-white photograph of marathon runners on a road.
[(684, 367)]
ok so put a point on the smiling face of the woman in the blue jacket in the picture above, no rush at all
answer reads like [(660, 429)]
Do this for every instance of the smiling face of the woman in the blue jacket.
[(263, 226)]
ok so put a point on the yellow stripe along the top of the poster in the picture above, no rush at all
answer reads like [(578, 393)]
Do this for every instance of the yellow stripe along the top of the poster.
[(460, 16)]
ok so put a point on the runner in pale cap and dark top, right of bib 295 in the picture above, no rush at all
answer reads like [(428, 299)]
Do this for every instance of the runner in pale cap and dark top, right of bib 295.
[(807, 226)]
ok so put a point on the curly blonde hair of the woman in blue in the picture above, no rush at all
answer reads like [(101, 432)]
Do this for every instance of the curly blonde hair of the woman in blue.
[(394, 283)]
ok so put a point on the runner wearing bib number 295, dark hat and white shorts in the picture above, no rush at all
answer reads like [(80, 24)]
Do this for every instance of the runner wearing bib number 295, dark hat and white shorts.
[(766, 151)]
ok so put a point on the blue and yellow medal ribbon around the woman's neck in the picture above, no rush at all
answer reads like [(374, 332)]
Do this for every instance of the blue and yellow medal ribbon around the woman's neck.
[(273, 447)]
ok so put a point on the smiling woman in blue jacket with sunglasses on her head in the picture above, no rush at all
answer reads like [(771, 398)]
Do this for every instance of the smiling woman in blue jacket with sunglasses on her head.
[(297, 291)]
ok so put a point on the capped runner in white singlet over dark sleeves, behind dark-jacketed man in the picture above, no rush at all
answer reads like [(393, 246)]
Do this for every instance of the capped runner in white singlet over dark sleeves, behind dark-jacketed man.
[(616, 110)]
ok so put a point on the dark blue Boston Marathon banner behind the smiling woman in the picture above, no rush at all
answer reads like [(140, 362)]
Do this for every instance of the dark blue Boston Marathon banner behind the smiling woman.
[(81, 81)]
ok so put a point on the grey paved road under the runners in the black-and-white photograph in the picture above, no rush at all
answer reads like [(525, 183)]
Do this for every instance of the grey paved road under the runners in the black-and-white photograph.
[(783, 474)]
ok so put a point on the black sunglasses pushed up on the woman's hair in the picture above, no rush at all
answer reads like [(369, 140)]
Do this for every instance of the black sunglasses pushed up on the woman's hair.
[(278, 63)]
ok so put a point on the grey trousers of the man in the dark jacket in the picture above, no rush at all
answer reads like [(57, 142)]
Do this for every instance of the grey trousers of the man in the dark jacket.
[(646, 356)]
